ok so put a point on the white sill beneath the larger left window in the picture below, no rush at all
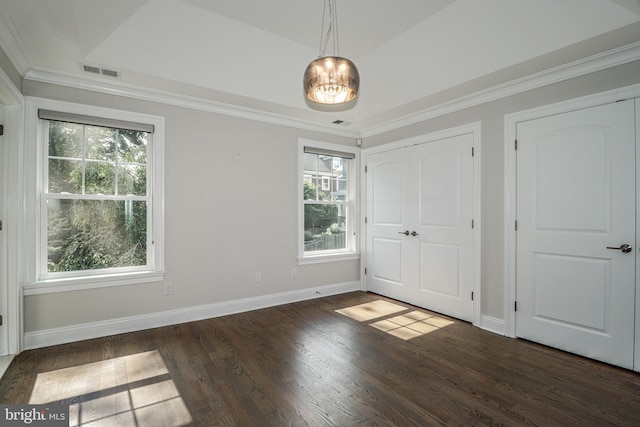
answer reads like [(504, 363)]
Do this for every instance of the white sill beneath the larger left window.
[(91, 282)]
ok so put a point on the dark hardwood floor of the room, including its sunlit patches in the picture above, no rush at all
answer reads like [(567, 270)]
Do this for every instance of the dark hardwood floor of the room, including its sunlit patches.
[(352, 359)]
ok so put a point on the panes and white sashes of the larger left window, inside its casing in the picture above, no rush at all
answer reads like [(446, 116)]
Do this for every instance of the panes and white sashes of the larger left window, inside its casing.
[(96, 199)]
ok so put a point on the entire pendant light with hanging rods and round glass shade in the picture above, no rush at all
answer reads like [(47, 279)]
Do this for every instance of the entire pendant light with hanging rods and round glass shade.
[(331, 79)]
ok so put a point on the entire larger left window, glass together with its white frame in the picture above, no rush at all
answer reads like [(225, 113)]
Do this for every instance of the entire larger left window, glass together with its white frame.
[(99, 199)]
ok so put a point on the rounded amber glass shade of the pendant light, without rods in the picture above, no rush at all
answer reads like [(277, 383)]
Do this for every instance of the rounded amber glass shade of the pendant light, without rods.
[(331, 80)]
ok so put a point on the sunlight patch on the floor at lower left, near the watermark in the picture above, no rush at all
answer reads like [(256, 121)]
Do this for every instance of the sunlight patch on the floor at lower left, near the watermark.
[(131, 390)]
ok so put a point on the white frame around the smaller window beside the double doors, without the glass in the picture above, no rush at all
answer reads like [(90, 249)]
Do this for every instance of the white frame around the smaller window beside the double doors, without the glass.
[(352, 249)]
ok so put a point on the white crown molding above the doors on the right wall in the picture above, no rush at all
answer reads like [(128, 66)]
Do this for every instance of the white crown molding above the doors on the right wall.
[(598, 62)]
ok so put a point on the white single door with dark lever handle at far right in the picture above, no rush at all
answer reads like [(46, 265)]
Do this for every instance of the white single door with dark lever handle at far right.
[(576, 202)]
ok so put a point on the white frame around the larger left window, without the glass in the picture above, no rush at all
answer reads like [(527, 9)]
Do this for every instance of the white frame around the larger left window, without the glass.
[(38, 281)]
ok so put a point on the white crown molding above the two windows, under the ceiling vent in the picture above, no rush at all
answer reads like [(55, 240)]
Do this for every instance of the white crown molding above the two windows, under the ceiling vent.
[(43, 75)]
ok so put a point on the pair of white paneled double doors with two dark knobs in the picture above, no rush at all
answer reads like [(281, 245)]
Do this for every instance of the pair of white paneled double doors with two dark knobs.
[(419, 225)]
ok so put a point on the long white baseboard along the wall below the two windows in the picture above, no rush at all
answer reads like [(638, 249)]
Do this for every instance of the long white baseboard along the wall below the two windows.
[(55, 336)]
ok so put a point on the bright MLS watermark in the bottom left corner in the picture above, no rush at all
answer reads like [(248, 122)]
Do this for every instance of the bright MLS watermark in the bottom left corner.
[(34, 415)]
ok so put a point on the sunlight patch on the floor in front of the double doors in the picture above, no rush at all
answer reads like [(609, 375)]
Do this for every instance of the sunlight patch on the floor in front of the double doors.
[(408, 325)]
